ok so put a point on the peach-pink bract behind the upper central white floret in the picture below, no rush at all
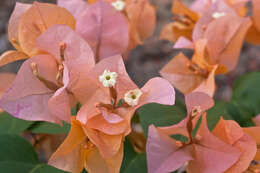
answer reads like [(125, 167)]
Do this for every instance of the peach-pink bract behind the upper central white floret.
[(95, 88)]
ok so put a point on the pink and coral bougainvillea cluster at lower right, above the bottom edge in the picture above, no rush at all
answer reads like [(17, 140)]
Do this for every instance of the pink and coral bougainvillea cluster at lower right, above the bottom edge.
[(226, 149)]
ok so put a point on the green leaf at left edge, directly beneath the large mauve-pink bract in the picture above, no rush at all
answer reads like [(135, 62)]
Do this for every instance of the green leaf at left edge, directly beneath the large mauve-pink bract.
[(11, 125)]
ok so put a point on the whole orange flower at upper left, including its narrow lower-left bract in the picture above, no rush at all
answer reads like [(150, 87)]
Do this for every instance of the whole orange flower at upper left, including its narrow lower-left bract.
[(27, 23)]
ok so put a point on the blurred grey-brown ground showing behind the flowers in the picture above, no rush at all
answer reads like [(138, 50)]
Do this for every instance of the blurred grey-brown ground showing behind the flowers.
[(145, 61)]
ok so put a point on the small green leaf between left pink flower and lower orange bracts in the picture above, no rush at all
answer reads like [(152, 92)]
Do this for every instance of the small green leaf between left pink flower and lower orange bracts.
[(50, 128)]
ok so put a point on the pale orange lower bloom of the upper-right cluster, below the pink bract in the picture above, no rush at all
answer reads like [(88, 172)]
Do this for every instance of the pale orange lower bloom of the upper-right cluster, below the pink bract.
[(191, 75)]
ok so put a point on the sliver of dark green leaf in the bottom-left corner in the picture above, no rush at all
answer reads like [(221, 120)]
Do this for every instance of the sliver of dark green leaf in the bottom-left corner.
[(15, 167)]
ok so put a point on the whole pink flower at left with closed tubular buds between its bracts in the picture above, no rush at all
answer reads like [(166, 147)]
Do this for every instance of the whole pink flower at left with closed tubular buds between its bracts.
[(41, 90)]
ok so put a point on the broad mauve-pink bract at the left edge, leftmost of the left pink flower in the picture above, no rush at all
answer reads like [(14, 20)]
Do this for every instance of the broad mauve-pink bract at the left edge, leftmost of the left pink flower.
[(28, 97)]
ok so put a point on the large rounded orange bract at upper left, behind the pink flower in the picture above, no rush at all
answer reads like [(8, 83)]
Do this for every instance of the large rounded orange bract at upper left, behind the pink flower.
[(38, 19)]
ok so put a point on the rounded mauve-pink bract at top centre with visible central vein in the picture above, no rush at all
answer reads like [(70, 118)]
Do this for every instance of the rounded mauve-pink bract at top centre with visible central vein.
[(104, 28)]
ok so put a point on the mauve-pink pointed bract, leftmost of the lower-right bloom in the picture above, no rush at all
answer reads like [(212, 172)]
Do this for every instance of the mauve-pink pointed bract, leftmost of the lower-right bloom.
[(161, 151)]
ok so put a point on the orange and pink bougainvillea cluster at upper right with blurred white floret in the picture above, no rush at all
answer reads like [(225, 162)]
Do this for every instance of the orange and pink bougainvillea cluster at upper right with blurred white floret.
[(213, 54)]
